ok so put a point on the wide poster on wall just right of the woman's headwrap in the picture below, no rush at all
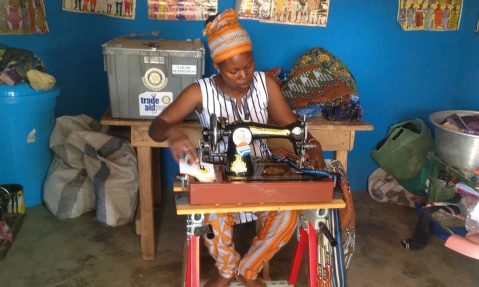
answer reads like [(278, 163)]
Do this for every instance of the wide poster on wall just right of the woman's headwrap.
[(293, 12)]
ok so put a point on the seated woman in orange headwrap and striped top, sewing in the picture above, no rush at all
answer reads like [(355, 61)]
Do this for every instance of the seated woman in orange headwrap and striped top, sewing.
[(239, 93)]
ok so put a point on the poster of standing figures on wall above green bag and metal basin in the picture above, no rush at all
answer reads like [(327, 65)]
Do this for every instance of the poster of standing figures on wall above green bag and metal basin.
[(430, 15)]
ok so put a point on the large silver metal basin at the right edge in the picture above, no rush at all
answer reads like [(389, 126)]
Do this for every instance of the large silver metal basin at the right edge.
[(456, 148)]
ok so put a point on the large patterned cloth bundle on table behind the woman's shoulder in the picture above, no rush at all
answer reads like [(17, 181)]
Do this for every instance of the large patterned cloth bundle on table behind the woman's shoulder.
[(319, 84)]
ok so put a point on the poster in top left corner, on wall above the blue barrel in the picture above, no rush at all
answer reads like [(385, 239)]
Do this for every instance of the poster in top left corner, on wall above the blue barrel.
[(22, 17)]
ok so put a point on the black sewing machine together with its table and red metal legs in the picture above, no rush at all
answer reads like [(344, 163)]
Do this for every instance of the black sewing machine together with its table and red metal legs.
[(246, 187)]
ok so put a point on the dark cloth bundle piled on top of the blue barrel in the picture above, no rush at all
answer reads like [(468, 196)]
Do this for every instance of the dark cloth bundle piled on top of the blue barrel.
[(19, 65)]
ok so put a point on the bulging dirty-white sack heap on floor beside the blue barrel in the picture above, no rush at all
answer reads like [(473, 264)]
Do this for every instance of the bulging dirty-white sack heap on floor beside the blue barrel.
[(81, 146)]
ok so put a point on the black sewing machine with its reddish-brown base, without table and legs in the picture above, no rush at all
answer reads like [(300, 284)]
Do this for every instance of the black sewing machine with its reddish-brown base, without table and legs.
[(238, 178)]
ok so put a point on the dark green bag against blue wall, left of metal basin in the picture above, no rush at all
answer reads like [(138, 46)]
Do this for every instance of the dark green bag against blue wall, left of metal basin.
[(403, 153)]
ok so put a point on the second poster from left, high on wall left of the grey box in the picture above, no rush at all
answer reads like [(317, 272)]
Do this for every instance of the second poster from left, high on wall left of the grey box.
[(114, 8)]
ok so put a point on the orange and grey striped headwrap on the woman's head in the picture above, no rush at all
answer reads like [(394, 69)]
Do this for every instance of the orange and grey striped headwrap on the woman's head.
[(226, 37)]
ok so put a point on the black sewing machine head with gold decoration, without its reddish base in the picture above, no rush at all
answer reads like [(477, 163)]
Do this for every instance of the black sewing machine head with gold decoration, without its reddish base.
[(237, 159)]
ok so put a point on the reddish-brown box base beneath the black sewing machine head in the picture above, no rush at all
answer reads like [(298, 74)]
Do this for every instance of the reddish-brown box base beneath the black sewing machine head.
[(271, 183)]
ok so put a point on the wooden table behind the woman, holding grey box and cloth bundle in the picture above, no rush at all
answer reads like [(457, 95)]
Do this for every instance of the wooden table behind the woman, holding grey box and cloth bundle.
[(337, 137)]
